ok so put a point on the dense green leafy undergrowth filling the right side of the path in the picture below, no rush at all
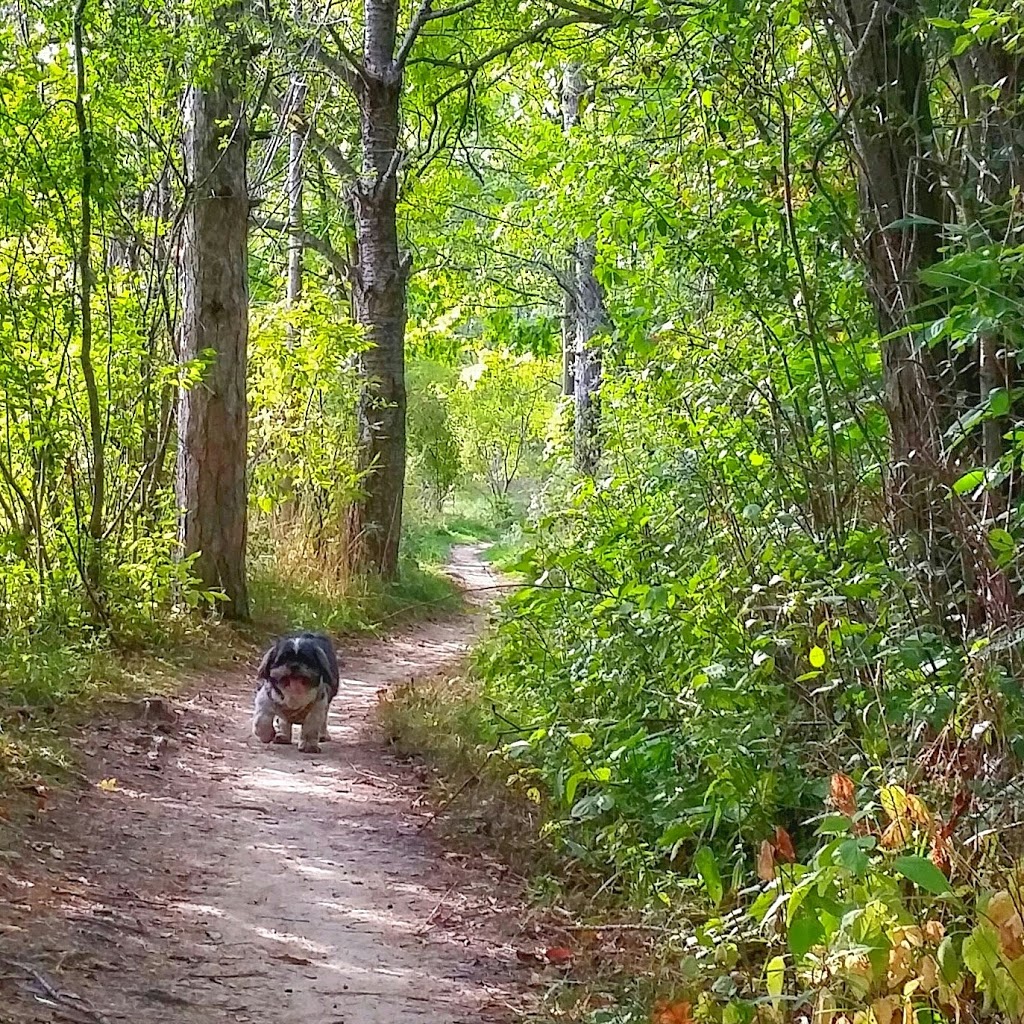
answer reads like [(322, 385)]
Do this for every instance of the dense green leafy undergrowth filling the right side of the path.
[(745, 769)]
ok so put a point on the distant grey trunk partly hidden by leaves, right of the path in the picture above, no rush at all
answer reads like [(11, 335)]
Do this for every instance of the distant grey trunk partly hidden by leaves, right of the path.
[(585, 318)]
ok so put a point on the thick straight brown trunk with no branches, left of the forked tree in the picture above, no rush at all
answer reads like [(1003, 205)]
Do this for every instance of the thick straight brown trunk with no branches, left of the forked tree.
[(214, 415)]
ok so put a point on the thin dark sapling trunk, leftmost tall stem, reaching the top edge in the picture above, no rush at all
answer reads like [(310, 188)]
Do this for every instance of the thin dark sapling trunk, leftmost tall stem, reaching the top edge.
[(94, 562)]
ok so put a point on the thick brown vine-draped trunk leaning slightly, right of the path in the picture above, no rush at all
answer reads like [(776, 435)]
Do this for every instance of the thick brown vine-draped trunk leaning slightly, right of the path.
[(893, 138)]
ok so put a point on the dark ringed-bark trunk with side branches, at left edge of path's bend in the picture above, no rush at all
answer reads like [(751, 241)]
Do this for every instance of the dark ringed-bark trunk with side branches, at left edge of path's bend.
[(379, 281)]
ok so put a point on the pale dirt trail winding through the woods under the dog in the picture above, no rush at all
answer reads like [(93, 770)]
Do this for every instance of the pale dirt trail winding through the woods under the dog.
[(221, 880)]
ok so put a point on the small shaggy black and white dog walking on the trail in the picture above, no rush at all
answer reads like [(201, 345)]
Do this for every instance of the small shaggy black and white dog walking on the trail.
[(298, 680)]
